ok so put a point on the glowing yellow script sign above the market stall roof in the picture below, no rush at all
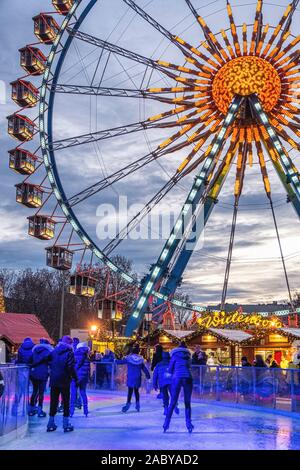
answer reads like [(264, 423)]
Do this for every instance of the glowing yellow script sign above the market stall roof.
[(223, 319)]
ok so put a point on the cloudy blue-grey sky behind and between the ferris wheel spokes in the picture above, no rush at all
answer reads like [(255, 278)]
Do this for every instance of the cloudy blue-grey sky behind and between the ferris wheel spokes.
[(256, 274)]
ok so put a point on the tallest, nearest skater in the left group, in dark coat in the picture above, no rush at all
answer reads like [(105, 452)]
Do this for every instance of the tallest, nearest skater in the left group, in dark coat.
[(62, 371)]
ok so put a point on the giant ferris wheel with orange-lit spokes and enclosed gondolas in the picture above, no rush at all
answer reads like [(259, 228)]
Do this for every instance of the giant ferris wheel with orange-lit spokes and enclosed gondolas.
[(230, 100)]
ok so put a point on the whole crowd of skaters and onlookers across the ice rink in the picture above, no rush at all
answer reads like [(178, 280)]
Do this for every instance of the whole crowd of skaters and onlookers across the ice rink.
[(67, 366)]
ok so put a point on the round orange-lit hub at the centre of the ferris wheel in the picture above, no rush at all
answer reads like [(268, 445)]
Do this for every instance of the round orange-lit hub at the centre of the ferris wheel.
[(246, 76)]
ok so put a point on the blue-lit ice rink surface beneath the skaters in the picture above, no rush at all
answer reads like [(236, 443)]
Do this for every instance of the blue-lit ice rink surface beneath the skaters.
[(216, 427)]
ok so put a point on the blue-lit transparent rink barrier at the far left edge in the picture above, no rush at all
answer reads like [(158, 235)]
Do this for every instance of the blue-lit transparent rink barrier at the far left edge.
[(13, 402)]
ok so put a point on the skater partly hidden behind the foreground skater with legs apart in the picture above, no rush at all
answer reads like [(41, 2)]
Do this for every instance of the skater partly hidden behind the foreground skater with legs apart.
[(162, 380)]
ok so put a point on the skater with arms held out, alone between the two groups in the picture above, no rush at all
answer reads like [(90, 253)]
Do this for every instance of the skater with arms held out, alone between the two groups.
[(135, 367)]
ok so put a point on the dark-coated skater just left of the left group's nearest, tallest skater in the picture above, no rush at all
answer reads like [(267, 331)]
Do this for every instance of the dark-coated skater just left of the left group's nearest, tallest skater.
[(39, 373)]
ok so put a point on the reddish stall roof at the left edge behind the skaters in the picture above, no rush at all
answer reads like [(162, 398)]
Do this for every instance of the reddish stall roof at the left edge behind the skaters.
[(16, 326)]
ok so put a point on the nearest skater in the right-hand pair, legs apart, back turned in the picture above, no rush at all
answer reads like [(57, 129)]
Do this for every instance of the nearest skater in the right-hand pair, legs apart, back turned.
[(180, 369)]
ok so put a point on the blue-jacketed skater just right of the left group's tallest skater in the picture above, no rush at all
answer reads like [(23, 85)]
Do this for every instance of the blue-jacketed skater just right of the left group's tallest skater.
[(83, 370)]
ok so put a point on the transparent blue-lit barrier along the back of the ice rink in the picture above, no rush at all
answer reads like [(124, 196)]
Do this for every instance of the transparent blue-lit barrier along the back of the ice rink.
[(272, 388)]
